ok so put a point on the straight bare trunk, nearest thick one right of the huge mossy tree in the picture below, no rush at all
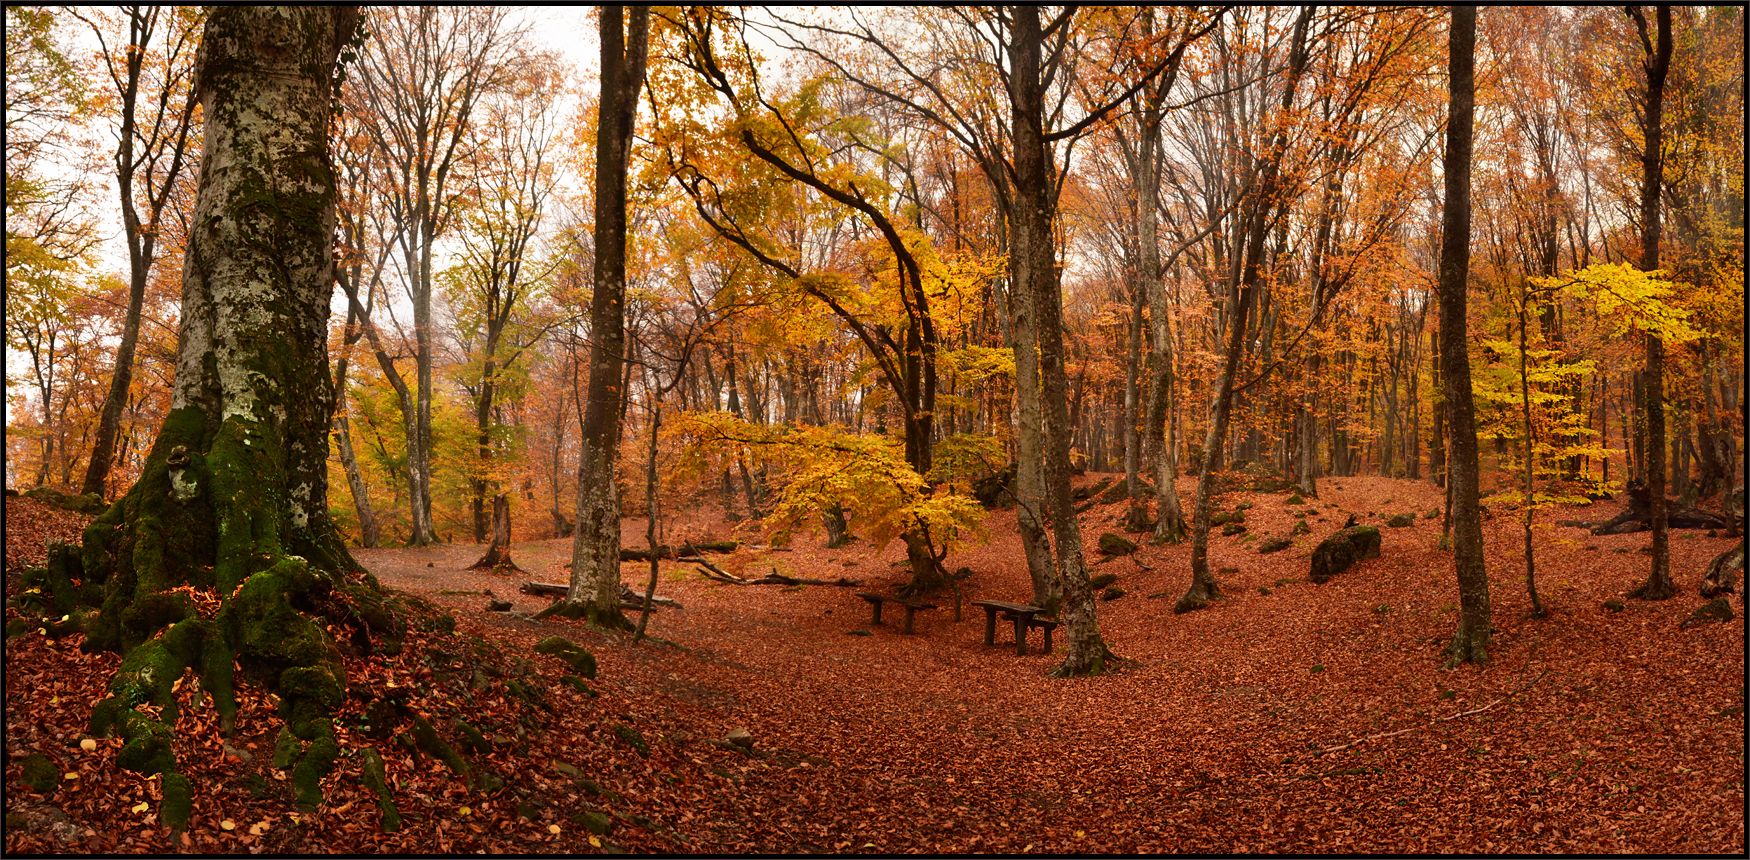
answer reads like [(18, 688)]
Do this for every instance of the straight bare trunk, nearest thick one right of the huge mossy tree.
[(594, 591)]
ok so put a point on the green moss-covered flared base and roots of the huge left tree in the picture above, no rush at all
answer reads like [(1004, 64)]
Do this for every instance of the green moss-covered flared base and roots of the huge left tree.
[(209, 521)]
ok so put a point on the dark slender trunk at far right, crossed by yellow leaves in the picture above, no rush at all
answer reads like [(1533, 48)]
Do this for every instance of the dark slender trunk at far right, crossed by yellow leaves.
[(1658, 584)]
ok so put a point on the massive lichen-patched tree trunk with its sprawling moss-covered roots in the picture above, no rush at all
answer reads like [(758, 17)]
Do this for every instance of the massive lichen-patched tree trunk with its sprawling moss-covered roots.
[(234, 495)]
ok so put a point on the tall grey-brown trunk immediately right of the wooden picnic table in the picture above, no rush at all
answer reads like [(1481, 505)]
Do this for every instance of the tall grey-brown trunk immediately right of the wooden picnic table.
[(1037, 313)]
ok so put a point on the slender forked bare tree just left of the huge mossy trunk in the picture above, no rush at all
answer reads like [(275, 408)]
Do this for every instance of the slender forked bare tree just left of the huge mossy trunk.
[(155, 136)]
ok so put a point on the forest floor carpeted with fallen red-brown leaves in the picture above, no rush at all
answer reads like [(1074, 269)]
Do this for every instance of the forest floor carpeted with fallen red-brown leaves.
[(1289, 717)]
